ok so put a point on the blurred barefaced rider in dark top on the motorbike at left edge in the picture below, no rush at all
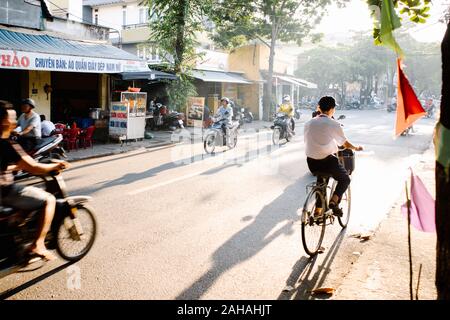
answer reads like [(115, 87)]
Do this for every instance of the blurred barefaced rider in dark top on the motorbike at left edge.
[(24, 198)]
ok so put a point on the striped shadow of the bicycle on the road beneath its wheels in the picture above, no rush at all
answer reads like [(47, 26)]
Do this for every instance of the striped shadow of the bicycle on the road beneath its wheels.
[(304, 277)]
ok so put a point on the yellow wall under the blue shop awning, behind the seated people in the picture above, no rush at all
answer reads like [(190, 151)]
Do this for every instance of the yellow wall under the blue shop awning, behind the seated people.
[(36, 82)]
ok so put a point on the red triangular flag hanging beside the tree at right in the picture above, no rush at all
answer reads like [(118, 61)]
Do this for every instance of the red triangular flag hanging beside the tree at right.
[(409, 109)]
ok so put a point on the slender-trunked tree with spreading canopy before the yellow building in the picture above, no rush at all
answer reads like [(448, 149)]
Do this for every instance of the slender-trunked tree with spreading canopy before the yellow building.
[(239, 21)]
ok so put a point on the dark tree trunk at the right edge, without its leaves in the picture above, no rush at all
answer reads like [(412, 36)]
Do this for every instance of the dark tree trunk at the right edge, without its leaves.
[(443, 186)]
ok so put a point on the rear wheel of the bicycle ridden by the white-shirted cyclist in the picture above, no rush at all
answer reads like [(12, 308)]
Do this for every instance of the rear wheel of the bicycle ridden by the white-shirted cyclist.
[(313, 228)]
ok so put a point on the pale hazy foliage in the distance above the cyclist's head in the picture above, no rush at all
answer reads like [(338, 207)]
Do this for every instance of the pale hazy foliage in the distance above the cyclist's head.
[(368, 65)]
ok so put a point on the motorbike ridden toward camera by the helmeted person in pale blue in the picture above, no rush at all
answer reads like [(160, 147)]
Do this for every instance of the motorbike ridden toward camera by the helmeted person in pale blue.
[(215, 136)]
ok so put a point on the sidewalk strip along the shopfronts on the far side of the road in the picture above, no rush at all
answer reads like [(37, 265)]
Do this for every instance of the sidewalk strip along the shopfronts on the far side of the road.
[(160, 139)]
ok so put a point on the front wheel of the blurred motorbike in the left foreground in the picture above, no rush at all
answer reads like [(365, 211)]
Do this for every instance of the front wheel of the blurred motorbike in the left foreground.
[(74, 243)]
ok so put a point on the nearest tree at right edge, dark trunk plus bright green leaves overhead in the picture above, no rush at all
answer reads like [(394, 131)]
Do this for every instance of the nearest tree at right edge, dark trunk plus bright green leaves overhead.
[(417, 12)]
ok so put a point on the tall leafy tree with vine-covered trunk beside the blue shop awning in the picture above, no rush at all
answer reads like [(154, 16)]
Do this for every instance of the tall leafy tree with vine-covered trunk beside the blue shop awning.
[(179, 22)]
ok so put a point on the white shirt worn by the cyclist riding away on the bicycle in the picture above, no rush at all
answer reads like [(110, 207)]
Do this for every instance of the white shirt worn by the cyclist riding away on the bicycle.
[(322, 135)]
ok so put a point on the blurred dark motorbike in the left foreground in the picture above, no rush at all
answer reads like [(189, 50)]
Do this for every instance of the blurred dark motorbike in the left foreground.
[(72, 232)]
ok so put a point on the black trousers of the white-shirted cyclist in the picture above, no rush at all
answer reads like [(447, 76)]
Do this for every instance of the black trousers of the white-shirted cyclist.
[(332, 166)]
